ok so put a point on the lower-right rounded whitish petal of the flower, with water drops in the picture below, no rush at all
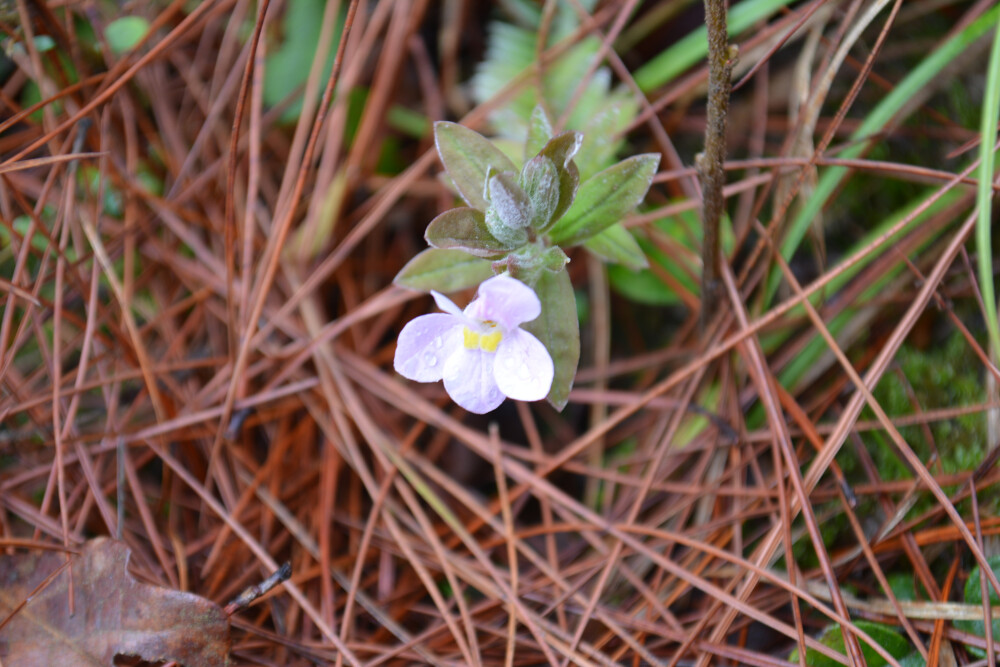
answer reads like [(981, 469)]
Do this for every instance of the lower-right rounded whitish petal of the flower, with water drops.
[(523, 367)]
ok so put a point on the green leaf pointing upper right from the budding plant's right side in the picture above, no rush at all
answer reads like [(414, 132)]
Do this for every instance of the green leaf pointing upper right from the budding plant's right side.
[(605, 198)]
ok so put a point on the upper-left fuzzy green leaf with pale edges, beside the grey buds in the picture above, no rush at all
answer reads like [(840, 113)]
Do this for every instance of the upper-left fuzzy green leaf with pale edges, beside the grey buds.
[(470, 158)]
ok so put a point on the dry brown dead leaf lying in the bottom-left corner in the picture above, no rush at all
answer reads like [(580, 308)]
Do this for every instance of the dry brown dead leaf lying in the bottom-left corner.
[(114, 614)]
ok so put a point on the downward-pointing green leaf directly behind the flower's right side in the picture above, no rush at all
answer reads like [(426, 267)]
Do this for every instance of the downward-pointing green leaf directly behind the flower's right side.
[(558, 327)]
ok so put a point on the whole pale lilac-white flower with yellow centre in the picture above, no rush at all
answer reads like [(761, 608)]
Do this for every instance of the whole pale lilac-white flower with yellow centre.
[(482, 354)]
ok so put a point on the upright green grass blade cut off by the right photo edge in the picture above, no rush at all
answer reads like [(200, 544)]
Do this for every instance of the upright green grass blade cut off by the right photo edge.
[(984, 193)]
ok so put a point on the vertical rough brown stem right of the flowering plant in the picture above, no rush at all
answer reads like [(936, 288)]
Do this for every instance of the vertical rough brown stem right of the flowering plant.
[(721, 59)]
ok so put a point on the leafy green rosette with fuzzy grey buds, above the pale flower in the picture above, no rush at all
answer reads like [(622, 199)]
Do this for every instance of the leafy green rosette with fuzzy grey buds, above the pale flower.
[(518, 222)]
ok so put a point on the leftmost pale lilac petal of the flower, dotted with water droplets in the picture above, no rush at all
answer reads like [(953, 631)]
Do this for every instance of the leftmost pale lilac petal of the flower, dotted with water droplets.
[(425, 344)]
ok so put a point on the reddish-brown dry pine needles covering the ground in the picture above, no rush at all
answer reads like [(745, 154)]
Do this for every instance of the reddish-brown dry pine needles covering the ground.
[(203, 378)]
